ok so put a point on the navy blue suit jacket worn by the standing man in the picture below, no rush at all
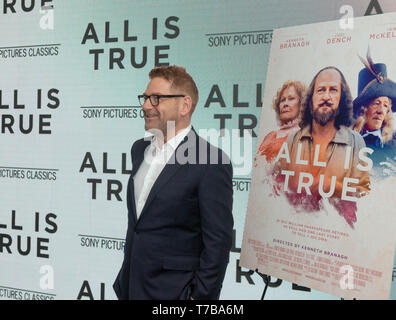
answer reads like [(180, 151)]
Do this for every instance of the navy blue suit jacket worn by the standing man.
[(179, 247)]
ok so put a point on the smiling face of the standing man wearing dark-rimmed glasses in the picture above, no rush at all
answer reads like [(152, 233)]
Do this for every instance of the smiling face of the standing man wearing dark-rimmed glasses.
[(167, 109)]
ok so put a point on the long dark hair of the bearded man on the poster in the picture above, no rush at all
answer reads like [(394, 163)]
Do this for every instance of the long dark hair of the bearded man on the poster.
[(344, 116)]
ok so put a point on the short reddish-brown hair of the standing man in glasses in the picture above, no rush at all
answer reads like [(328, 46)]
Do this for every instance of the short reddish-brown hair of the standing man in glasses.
[(179, 79)]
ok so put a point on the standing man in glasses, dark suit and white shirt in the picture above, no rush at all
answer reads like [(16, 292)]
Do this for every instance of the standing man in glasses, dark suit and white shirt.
[(179, 200)]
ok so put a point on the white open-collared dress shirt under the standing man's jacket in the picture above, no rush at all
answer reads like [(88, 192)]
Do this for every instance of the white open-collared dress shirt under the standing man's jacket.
[(155, 159)]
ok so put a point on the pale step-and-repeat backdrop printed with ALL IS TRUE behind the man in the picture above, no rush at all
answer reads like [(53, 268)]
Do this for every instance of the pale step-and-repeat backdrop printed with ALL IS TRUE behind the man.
[(70, 75)]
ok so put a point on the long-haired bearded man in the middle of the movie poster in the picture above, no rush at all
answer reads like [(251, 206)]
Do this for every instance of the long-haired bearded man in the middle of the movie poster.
[(326, 159)]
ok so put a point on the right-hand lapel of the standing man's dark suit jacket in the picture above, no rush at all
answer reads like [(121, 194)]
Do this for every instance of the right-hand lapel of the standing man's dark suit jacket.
[(169, 170)]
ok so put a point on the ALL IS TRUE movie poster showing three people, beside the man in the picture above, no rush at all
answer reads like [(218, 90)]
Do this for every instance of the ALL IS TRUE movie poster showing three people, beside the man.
[(321, 210)]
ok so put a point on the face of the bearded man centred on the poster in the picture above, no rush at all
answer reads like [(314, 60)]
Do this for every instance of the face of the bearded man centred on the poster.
[(326, 96)]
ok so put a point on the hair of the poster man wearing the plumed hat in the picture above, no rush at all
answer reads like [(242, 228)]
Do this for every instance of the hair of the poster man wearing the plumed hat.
[(387, 124)]
